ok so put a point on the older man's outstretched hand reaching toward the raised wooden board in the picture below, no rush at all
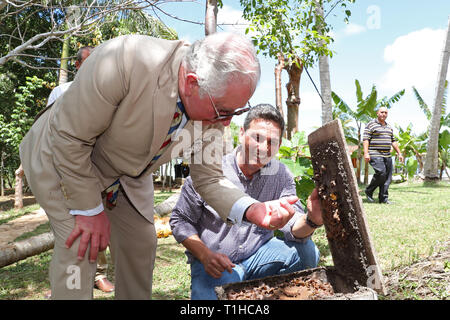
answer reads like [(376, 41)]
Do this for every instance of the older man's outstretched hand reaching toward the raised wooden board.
[(273, 214)]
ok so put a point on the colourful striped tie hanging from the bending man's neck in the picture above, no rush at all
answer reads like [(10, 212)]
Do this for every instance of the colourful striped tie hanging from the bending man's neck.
[(113, 190)]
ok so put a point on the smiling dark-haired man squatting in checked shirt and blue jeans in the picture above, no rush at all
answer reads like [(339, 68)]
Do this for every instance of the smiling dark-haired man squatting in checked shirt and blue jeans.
[(220, 253)]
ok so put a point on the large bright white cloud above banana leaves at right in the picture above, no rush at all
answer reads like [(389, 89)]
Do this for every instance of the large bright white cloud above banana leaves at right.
[(414, 61)]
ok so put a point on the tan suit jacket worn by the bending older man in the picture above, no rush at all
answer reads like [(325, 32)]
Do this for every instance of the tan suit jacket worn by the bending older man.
[(109, 124)]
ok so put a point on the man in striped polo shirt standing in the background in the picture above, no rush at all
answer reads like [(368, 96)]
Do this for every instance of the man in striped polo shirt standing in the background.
[(377, 140)]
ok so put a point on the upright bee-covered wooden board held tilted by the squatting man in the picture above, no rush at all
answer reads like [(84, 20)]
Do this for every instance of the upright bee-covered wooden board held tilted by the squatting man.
[(342, 210)]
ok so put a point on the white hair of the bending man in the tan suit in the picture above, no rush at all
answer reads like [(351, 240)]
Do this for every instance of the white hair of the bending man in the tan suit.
[(221, 58)]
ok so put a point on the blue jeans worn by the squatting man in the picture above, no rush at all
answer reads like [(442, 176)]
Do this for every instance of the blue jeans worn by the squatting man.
[(273, 258)]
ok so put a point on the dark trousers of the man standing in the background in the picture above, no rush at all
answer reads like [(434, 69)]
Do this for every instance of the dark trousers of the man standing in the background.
[(382, 177)]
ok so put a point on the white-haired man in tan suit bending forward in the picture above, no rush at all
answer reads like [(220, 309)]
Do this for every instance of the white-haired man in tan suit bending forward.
[(89, 158)]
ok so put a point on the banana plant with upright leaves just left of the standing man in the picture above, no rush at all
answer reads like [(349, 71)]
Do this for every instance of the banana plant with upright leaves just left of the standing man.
[(366, 109)]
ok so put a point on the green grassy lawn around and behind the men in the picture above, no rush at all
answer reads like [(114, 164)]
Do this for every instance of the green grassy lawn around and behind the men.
[(403, 233)]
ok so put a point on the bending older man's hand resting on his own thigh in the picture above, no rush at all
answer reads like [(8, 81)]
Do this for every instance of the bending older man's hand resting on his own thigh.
[(94, 230)]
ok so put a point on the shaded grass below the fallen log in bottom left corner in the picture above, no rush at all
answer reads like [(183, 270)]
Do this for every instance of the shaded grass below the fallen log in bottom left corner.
[(26, 279)]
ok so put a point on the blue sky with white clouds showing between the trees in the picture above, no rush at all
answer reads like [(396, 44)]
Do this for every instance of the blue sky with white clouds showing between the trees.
[(392, 44)]
